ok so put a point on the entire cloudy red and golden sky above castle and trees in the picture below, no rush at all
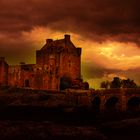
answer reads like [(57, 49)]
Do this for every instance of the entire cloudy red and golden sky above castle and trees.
[(107, 30)]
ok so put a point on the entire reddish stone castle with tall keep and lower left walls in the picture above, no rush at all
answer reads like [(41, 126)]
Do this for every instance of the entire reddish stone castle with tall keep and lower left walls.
[(58, 66)]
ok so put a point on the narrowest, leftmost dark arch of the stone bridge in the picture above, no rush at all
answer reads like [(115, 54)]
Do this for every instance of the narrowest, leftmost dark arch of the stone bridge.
[(96, 102)]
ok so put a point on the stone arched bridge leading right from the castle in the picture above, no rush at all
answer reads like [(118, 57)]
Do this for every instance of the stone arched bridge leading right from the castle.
[(107, 100)]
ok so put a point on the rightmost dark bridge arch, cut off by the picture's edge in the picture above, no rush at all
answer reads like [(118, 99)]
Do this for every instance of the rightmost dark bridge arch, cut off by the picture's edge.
[(133, 104)]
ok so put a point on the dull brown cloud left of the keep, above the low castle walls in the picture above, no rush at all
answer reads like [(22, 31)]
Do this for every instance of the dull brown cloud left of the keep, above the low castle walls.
[(17, 51)]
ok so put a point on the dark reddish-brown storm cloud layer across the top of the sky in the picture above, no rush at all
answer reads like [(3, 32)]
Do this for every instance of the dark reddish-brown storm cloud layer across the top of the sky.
[(99, 20)]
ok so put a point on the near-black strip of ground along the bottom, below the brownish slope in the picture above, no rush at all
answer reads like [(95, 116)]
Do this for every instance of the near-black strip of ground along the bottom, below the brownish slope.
[(27, 123)]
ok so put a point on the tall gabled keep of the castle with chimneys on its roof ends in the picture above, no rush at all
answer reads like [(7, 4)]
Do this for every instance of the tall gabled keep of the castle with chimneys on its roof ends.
[(63, 58)]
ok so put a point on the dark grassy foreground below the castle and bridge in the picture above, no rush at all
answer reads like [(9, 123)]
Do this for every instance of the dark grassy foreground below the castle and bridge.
[(43, 117)]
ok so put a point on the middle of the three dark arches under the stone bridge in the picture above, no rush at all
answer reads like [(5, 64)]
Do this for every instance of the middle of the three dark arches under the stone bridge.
[(111, 104)]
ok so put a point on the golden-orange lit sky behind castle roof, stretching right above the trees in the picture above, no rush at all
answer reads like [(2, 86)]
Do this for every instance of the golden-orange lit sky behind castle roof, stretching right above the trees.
[(109, 54)]
